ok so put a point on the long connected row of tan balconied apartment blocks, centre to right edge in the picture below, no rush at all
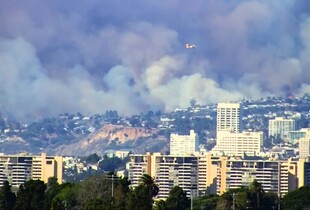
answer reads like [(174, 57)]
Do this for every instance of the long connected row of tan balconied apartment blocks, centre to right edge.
[(203, 172)]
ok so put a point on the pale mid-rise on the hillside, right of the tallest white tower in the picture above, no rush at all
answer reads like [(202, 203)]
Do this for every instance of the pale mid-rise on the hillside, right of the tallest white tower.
[(280, 127)]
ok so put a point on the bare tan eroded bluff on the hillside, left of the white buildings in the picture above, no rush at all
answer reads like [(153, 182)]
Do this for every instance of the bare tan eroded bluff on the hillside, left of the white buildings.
[(116, 137)]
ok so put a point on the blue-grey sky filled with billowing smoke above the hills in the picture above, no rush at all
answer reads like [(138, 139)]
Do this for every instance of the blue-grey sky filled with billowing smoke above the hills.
[(92, 56)]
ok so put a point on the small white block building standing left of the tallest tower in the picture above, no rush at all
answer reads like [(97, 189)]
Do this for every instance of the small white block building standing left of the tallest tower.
[(184, 144)]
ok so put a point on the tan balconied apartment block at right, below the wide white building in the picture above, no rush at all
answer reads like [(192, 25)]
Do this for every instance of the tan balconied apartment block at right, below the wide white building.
[(276, 176)]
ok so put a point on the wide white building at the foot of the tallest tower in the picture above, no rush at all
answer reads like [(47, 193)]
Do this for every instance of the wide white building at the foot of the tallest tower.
[(239, 144)]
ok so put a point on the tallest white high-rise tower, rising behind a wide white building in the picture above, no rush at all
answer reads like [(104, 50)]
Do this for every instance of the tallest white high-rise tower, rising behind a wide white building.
[(229, 117)]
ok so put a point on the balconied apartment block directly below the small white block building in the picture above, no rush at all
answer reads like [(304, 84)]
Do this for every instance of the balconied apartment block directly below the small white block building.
[(168, 171)]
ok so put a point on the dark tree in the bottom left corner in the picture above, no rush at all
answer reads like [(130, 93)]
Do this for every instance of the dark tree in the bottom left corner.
[(7, 197)]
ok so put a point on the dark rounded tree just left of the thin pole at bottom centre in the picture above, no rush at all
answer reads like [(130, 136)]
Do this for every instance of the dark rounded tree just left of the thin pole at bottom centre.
[(177, 199)]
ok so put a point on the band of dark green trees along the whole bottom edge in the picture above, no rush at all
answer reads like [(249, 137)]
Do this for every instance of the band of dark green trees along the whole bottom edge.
[(108, 192)]
